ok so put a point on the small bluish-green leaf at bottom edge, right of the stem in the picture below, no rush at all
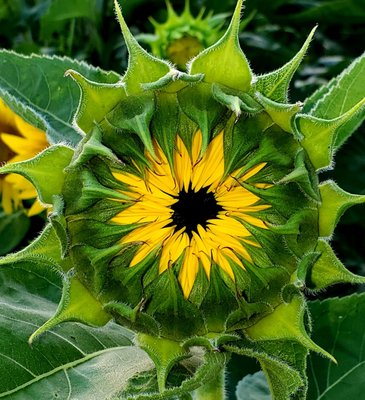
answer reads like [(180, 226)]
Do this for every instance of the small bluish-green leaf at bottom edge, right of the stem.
[(253, 387)]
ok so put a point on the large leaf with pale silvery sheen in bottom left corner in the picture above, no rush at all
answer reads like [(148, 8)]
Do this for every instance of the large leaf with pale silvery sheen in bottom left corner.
[(71, 361)]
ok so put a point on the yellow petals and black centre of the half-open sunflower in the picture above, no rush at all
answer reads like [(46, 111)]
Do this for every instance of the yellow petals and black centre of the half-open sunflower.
[(191, 210)]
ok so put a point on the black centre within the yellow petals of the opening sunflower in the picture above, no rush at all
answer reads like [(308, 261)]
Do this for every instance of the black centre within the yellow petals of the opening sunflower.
[(193, 209)]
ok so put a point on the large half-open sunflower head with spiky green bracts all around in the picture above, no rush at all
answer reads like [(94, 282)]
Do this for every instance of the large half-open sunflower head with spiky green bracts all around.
[(191, 212)]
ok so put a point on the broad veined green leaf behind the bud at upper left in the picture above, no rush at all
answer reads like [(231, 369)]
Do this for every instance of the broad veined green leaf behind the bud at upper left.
[(38, 82)]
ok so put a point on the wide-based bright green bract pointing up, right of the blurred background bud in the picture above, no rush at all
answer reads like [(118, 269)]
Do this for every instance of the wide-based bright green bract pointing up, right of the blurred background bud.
[(213, 61)]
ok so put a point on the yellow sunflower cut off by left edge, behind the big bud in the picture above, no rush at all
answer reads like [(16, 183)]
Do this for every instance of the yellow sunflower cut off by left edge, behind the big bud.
[(19, 141)]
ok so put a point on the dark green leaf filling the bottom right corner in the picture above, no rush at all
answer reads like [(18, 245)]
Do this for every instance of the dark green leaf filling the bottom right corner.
[(339, 327)]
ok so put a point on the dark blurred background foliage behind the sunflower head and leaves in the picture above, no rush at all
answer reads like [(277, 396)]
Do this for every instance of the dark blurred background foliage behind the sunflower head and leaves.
[(272, 33)]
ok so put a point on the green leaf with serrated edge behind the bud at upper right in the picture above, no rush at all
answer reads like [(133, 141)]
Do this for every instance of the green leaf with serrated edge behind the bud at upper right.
[(342, 93)]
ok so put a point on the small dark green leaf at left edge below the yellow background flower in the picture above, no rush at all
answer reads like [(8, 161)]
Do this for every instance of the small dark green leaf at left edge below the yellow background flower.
[(13, 228)]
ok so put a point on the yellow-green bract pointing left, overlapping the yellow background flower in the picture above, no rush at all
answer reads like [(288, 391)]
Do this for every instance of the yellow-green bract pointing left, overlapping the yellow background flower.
[(45, 171)]
